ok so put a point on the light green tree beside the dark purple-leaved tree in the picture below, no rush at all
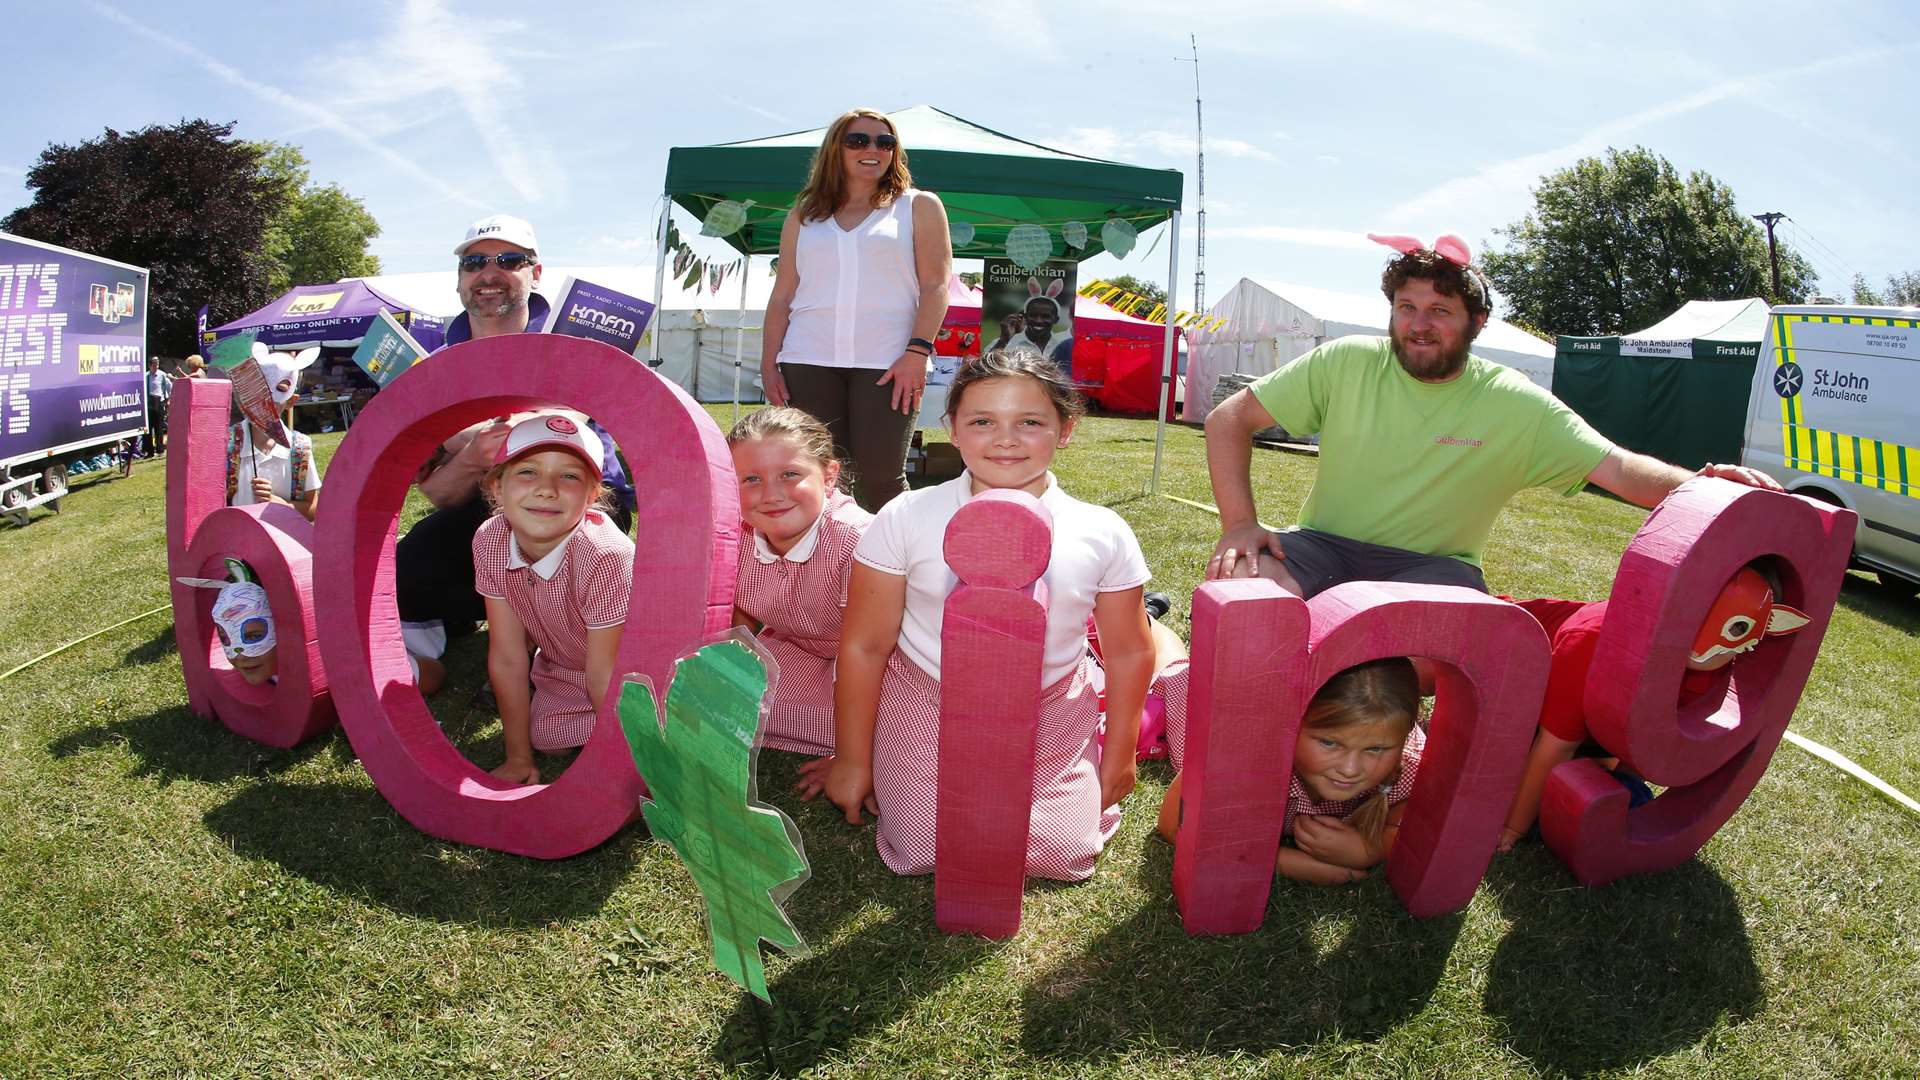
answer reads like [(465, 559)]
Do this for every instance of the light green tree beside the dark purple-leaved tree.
[(322, 233)]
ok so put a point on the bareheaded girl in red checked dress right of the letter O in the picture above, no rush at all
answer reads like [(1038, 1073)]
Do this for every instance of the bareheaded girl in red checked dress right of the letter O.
[(794, 566)]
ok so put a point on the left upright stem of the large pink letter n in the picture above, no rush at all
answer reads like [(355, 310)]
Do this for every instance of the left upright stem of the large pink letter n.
[(1243, 716)]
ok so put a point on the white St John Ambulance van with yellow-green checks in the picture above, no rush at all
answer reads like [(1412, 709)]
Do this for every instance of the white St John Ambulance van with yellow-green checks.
[(1835, 414)]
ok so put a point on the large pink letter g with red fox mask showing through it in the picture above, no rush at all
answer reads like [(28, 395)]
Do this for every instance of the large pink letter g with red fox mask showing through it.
[(1712, 750)]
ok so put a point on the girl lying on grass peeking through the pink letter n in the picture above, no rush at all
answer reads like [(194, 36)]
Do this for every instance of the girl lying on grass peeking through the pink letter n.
[(1355, 768)]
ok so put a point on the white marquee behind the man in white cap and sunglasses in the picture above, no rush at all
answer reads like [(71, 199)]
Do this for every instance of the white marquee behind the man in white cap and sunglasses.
[(696, 326)]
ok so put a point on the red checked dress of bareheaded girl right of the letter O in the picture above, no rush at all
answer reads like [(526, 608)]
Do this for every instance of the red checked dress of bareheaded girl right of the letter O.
[(800, 601)]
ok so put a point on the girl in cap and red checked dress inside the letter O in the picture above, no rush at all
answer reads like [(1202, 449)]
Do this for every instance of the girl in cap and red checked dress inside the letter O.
[(556, 576)]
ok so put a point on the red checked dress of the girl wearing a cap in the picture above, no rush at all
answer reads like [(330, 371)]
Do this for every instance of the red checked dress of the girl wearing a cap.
[(587, 591)]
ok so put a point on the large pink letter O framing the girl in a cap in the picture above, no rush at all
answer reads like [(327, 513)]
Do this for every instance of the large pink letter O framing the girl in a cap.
[(683, 583)]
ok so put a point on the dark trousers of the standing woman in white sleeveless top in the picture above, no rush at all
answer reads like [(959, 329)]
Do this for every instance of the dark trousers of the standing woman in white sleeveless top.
[(869, 433)]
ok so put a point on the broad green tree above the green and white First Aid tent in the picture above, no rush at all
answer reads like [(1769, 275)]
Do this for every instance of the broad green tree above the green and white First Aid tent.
[(1620, 243)]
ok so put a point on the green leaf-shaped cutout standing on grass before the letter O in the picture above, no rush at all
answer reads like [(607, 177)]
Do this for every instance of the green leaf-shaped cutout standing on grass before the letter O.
[(700, 768)]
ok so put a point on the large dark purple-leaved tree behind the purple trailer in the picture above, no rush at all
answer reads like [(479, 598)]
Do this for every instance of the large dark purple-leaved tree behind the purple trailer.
[(183, 201)]
